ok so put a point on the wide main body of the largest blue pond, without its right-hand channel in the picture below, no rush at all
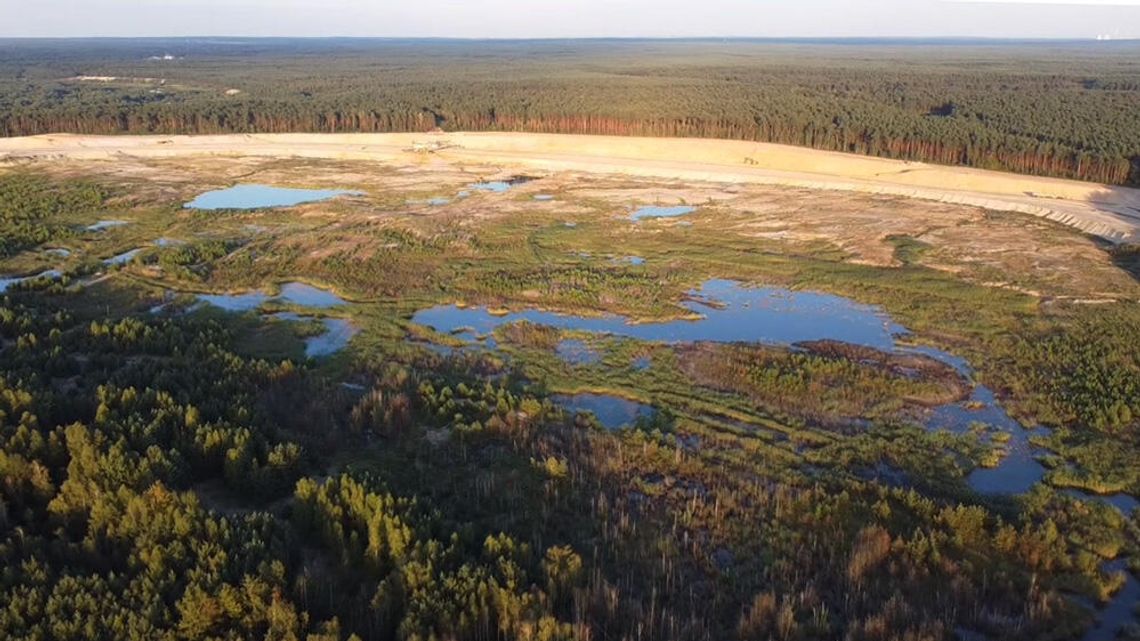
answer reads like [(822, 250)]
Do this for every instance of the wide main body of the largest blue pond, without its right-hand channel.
[(742, 314)]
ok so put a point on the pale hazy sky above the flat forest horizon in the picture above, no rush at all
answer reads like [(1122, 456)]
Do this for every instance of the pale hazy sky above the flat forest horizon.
[(574, 19)]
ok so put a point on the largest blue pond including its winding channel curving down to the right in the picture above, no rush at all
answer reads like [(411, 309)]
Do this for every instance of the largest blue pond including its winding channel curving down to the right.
[(732, 313)]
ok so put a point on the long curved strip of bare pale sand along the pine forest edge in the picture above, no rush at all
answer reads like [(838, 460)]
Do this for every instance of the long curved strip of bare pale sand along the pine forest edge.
[(1106, 212)]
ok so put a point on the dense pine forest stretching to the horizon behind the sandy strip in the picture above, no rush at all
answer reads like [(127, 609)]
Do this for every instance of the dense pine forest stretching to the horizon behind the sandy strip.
[(1069, 111)]
